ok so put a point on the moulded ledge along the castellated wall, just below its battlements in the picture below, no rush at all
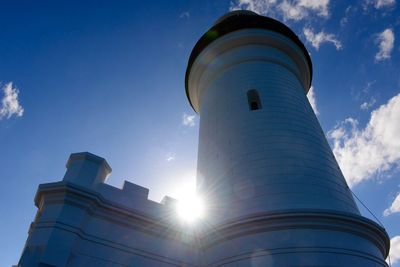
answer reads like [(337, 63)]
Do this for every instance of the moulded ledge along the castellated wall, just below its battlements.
[(148, 216)]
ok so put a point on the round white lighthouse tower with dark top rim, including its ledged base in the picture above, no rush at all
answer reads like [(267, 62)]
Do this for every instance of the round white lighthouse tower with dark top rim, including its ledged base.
[(275, 194)]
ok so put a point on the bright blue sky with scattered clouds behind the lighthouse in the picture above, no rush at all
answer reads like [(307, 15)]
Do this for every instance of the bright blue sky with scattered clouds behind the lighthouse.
[(109, 78)]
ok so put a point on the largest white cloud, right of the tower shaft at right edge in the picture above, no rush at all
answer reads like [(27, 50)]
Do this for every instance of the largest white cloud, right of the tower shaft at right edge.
[(362, 153)]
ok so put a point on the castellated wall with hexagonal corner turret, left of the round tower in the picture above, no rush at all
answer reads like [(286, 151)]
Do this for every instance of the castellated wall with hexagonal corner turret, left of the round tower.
[(81, 221)]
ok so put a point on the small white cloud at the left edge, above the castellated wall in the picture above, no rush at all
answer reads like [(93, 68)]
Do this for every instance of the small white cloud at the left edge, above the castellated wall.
[(9, 103)]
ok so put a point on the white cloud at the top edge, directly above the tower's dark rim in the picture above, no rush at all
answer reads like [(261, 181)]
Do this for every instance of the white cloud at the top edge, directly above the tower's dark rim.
[(288, 10)]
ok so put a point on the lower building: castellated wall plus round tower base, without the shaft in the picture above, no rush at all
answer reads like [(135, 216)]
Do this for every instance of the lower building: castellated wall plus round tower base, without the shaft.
[(81, 221)]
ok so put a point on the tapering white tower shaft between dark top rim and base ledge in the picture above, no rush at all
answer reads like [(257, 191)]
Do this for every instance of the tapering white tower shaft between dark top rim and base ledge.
[(271, 159)]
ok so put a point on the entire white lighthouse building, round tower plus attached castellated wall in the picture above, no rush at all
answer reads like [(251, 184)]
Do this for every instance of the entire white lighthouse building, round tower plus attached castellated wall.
[(274, 194)]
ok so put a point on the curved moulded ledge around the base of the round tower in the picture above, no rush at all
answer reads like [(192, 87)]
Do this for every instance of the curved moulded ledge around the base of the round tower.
[(300, 219)]
